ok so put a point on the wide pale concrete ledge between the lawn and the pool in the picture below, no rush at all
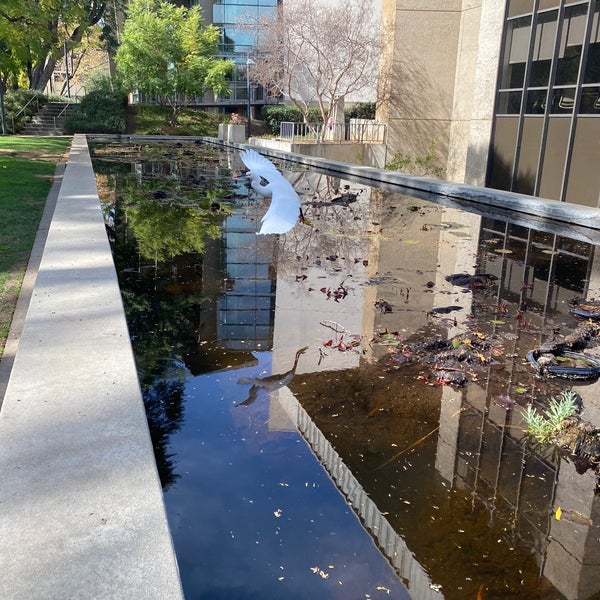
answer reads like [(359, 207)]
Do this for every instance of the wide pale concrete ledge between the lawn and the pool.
[(81, 506)]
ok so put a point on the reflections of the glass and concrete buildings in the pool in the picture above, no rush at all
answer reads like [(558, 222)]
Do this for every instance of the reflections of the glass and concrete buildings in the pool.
[(440, 476)]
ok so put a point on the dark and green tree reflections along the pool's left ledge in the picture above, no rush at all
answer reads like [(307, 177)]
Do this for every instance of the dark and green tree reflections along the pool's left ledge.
[(162, 220)]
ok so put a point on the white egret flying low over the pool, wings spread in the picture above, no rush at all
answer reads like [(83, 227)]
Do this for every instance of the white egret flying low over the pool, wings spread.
[(284, 211)]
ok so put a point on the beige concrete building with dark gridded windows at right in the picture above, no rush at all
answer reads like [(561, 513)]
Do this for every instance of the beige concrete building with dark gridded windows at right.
[(508, 90)]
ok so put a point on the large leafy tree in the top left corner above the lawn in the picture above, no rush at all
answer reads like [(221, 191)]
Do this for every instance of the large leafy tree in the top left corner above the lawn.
[(34, 35)]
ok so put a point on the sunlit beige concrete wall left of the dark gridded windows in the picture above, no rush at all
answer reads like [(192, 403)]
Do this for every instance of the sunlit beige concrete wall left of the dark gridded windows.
[(438, 78)]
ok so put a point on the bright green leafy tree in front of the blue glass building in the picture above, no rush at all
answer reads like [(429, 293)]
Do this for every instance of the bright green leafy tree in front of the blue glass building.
[(166, 52)]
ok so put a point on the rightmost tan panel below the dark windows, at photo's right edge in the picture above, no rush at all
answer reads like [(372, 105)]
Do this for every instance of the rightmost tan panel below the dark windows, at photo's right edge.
[(584, 177)]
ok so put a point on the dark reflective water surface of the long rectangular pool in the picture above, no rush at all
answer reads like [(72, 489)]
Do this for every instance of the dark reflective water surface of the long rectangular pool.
[(308, 447)]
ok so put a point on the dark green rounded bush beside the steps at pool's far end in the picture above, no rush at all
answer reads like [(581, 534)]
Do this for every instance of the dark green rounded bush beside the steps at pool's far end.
[(101, 111)]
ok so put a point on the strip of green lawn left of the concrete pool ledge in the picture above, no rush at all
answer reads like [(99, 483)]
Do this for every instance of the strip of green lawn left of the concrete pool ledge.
[(26, 169)]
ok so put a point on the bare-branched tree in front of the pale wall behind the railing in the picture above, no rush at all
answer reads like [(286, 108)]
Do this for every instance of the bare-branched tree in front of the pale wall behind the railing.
[(318, 53)]
